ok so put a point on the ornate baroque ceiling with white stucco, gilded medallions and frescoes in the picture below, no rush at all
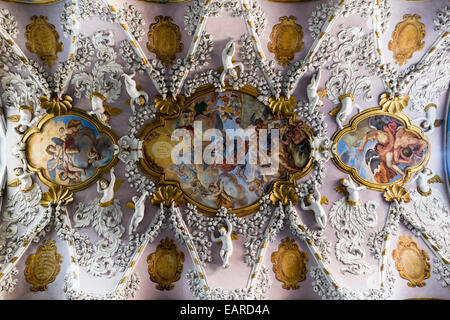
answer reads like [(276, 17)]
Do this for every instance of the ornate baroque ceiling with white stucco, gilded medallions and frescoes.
[(384, 63)]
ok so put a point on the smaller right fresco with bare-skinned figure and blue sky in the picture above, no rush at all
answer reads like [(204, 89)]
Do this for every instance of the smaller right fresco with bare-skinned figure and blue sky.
[(381, 149)]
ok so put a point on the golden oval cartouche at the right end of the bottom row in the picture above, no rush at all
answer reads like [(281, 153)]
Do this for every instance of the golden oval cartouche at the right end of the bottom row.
[(411, 262)]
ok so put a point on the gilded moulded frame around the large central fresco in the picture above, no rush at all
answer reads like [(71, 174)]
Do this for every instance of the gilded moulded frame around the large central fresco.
[(159, 178)]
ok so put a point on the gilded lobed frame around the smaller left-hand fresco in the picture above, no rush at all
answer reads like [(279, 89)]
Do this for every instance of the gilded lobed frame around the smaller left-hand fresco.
[(99, 171)]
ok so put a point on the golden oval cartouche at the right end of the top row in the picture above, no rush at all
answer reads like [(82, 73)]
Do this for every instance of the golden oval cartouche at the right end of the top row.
[(407, 38)]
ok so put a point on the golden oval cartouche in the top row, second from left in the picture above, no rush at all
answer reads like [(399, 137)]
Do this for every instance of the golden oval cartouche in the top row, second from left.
[(164, 40)]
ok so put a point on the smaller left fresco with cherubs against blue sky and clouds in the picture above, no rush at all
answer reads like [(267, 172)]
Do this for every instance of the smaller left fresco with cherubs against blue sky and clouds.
[(69, 149)]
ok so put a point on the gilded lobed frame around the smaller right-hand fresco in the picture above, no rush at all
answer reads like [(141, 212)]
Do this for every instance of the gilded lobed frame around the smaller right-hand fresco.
[(352, 126)]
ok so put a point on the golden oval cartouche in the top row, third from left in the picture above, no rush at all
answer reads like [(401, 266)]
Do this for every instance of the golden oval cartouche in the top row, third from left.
[(286, 40)]
